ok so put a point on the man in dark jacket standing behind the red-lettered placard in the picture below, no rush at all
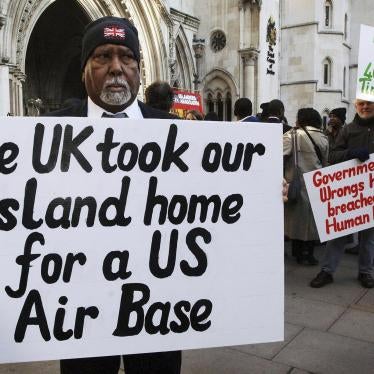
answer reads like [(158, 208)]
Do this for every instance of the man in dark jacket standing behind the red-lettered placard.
[(356, 141)]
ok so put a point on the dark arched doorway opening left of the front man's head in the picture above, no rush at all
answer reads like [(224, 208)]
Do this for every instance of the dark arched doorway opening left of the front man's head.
[(53, 72)]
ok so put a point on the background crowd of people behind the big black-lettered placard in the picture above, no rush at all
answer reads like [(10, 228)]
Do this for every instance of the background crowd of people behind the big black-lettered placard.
[(307, 146)]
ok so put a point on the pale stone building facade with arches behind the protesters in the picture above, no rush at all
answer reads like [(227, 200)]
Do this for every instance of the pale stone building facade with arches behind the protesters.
[(303, 52)]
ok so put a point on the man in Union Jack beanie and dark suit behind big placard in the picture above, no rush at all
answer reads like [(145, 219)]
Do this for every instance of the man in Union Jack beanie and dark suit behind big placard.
[(110, 65)]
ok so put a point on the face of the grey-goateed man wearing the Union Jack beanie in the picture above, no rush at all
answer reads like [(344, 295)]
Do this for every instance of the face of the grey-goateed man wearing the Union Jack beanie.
[(111, 77)]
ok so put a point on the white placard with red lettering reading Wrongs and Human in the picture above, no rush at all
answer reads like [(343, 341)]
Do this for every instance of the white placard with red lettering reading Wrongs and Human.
[(342, 198)]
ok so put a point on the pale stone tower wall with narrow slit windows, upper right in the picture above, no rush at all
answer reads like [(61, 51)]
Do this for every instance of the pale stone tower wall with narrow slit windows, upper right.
[(306, 43)]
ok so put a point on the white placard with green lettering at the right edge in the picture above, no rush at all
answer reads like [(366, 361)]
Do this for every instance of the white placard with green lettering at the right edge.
[(365, 70)]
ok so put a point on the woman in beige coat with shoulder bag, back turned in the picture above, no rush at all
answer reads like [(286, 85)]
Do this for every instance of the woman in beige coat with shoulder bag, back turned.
[(299, 222)]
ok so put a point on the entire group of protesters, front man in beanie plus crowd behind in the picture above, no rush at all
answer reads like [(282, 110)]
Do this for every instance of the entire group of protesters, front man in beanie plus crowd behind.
[(111, 75)]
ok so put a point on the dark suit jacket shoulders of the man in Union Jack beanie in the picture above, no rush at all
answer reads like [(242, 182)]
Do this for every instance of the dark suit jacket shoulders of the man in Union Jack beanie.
[(80, 110)]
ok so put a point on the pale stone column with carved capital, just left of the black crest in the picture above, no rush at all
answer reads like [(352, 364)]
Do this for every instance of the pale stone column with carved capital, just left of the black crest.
[(249, 58)]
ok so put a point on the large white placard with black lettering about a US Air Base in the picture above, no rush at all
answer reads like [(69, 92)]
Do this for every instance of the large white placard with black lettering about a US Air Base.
[(123, 236)]
